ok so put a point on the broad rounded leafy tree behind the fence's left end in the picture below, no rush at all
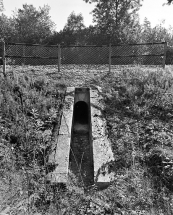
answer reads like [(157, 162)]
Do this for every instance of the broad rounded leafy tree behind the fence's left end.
[(32, 25)]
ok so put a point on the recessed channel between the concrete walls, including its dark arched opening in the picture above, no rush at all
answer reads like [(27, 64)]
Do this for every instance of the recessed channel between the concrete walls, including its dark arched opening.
[(81, 161)]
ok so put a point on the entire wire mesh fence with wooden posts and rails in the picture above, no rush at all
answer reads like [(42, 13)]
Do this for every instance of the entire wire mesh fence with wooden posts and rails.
[(124, 54)]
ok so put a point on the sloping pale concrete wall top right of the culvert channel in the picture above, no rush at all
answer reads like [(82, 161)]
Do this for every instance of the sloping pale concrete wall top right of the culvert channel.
[(102, 152)]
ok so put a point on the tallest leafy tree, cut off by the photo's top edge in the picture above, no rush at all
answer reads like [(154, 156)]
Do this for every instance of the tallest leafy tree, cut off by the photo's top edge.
[(112, 16)]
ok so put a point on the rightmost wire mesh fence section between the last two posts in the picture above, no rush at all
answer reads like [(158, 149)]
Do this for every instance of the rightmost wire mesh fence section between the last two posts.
[(144, 54)]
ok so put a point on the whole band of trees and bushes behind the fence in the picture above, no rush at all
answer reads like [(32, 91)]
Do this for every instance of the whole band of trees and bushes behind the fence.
[(115, 21)]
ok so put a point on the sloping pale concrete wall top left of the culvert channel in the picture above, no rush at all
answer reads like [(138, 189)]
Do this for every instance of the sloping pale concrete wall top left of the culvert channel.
[(60, 155)]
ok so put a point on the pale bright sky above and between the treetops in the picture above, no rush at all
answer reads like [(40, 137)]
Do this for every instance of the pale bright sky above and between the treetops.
[(61, 9)]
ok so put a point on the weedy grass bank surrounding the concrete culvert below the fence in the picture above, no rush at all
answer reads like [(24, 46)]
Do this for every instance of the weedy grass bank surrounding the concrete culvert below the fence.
[(139, 113)]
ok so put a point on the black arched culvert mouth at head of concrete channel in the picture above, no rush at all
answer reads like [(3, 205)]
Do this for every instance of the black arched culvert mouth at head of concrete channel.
[(81, 113)]
